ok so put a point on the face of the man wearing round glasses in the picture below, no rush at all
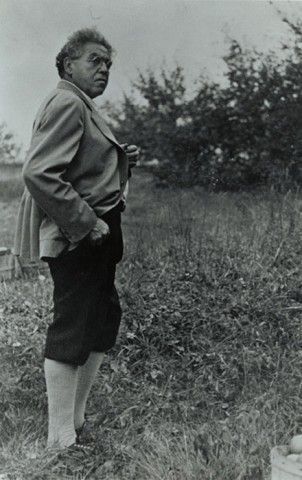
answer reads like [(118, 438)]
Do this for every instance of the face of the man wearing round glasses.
[(90, 72)]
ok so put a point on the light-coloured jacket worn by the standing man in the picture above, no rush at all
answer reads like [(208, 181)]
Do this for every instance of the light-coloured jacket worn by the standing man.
[(75, 171)]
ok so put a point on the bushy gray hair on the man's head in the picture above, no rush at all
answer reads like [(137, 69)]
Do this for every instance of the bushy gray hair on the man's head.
[(74, 46)]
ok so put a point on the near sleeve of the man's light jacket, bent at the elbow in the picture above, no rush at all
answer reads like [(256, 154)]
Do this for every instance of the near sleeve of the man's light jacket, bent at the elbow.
[(56, 137)]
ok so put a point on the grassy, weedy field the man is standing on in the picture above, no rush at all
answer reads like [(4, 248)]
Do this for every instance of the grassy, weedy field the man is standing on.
[(206, 376)]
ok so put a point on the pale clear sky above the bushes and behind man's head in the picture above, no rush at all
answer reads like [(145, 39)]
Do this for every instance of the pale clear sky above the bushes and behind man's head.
[(144, 33)]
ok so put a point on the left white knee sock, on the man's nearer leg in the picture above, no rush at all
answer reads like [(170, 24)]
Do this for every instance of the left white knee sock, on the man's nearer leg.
[(61, 382)]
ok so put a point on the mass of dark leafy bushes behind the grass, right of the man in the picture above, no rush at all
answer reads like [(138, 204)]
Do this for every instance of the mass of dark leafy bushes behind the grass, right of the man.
[(243, 134)]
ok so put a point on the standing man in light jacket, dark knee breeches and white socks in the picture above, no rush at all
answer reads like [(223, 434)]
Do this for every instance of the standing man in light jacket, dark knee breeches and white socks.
[(70, 215)]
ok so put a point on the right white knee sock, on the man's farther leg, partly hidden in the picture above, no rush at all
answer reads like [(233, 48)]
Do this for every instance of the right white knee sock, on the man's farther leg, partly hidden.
[(86, 376)]
